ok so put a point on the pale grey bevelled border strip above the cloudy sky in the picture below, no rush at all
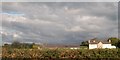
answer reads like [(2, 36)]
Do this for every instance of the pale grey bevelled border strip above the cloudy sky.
[(60, 0)]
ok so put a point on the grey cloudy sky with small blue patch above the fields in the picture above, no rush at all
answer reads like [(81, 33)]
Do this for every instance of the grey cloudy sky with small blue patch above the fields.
[(58, 22)]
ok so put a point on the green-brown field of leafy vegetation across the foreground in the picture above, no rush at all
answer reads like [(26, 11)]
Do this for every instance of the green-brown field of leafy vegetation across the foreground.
[(61, 53)]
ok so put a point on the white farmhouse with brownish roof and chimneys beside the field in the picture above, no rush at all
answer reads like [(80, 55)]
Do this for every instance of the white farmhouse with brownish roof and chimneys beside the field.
[(93, 43)]
